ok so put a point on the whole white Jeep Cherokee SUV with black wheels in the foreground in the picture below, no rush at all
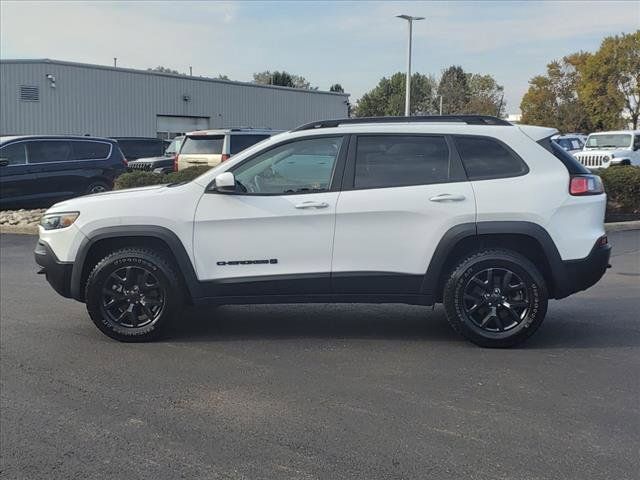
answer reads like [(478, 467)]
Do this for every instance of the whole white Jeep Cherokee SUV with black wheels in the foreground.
[(489, 218)]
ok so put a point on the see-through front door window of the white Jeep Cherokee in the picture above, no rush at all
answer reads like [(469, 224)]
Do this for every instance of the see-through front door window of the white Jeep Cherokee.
[(305, 166)]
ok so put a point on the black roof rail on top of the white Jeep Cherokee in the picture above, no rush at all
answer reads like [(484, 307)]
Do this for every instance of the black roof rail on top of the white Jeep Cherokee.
[(468, 119)]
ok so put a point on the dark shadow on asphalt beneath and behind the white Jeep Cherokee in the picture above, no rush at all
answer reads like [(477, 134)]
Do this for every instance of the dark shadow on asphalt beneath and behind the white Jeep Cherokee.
[(390, 322)]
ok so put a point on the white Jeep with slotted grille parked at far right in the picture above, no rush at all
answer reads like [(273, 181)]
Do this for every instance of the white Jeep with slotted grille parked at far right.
[(606, 149)]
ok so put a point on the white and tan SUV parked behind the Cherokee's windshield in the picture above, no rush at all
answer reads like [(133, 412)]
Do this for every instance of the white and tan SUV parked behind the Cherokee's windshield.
[(210, 147)]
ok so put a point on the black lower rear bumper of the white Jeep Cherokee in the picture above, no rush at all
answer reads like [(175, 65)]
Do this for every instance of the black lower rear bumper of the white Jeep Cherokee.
[(584, 273)]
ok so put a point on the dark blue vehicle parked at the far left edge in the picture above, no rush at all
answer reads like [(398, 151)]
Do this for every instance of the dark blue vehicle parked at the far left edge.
[(41, 170)]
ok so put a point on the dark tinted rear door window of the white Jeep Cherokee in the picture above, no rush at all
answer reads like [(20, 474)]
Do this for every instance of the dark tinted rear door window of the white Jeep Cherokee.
[(396, 161)]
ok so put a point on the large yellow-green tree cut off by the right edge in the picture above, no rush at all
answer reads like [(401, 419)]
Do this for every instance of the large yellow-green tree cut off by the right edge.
[(610, 86)]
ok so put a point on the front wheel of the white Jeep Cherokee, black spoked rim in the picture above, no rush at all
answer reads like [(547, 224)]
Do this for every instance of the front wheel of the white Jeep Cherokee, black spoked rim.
[(133, 294)]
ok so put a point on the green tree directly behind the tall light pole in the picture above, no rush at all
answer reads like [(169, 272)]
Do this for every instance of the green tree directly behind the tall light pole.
[(387, 98)]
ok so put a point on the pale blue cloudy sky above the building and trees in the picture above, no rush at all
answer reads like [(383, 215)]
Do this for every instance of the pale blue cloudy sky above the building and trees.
[(353, 43)]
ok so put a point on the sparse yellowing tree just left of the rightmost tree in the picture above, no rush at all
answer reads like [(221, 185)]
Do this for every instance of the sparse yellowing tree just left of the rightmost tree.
[(553, 100)]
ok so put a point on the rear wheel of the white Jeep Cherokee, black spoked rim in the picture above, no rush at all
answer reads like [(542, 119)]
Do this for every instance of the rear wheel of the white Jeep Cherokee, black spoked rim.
[(496, 298)]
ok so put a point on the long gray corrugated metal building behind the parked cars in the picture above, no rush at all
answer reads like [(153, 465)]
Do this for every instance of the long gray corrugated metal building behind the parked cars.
[(55, 97)]
